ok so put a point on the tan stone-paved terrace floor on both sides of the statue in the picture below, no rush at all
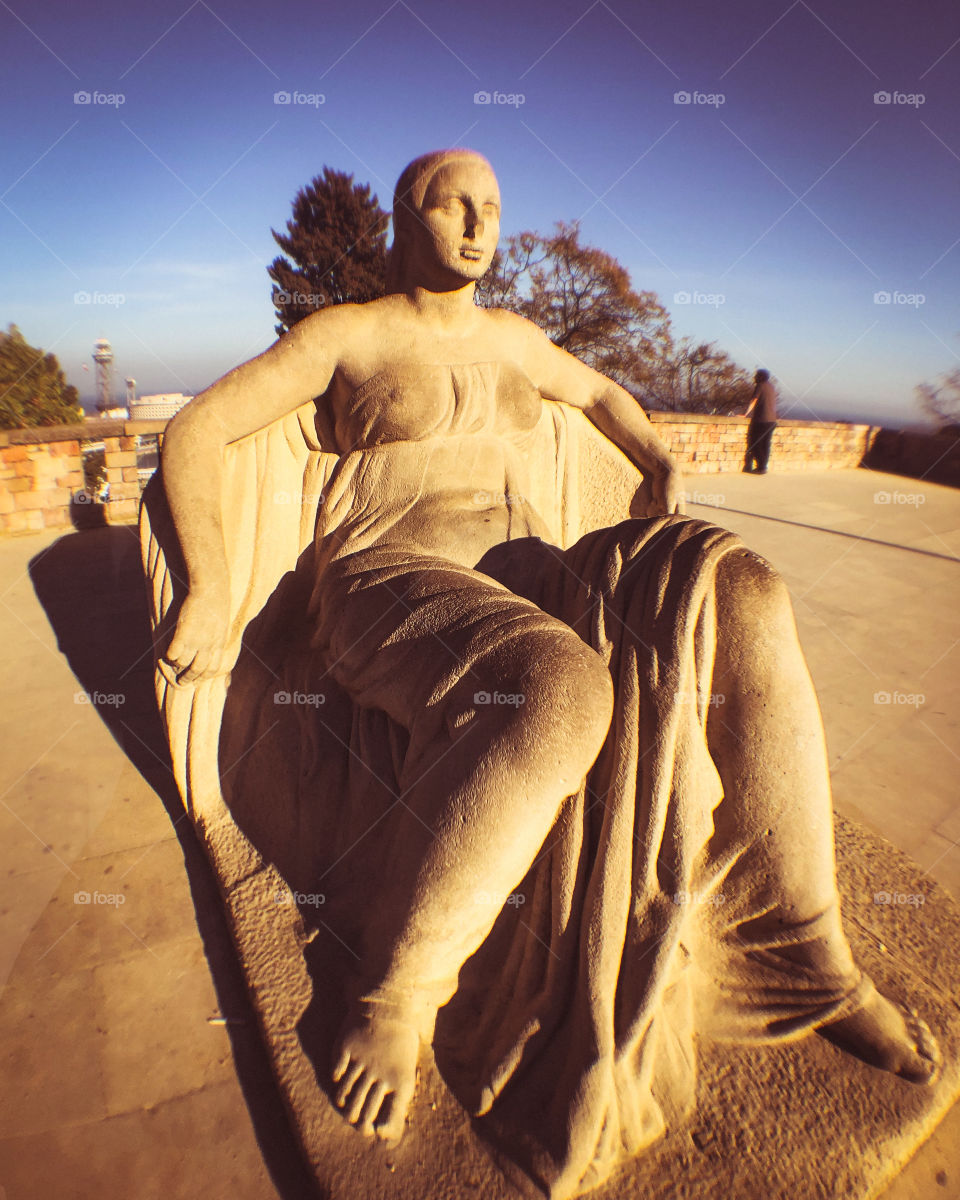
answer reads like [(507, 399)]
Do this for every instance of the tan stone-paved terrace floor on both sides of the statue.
[(130, 1055)]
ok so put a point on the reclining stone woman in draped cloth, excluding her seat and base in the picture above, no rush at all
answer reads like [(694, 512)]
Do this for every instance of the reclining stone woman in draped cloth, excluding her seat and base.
[(557, 706)]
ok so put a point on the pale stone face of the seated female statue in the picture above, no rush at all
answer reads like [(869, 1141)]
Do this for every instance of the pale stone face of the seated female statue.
[(461, 218)]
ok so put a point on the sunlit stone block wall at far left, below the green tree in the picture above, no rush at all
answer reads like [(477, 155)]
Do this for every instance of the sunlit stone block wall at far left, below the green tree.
[(41, 475)]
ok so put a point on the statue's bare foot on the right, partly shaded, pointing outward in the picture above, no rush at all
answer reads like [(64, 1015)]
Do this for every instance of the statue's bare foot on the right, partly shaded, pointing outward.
[(885, 1036)]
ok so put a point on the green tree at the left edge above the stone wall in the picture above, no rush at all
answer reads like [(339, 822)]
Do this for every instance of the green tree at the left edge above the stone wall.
[(33, 387)]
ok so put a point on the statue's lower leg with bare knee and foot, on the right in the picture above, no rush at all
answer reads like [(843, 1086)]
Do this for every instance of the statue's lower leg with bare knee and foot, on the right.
[(775, 827)]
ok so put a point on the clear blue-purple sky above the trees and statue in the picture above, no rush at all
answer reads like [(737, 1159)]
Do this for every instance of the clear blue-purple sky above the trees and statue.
[(815, 165)]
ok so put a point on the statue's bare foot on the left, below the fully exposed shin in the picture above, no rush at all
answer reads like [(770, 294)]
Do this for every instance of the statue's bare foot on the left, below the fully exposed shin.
[(375, 1064)]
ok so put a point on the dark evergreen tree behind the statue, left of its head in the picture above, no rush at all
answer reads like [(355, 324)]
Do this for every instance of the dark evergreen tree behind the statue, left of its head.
[(337, 247)]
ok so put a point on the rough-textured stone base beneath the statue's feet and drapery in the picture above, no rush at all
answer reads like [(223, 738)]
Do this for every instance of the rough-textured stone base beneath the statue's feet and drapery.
[(802, 1121)]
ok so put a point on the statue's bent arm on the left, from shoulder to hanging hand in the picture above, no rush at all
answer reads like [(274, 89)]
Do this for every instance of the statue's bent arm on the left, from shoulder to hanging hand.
[(248, 399)]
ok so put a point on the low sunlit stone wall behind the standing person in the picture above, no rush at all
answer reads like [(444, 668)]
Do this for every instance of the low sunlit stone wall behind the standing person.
[(715, 445)]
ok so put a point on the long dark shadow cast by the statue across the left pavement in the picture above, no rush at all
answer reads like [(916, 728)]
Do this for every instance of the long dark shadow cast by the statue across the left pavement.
[(92, 589)]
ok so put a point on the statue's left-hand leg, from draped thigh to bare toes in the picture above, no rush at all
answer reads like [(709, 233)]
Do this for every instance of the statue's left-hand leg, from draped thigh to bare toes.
[(519, 707)]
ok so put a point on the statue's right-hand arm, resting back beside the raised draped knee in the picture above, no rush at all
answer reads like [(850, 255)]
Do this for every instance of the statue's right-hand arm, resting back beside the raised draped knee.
[(611, 409)]
